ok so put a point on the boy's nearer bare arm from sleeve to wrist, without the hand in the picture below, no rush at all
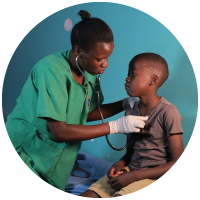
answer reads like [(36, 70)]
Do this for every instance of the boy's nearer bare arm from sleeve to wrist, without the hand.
[(175, 143)]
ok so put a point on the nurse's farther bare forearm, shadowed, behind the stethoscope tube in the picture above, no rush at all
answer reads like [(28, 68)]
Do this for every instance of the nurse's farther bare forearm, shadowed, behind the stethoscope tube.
[(107, 110)]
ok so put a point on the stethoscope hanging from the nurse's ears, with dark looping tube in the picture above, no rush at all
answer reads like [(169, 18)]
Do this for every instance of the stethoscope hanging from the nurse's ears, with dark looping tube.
[(97, 92)]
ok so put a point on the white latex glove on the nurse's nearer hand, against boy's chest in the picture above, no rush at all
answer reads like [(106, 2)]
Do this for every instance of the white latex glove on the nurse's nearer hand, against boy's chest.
[(127, 124)]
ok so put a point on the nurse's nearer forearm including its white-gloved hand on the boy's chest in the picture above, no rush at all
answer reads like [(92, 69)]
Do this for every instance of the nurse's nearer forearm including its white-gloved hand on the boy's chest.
[(63, 132)]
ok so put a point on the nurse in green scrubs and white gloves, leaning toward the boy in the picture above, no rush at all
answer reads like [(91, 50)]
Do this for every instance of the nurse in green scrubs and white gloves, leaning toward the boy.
[(49, 121)]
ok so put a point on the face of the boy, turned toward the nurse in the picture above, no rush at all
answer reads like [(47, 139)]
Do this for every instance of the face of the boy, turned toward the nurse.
[(137, 82)]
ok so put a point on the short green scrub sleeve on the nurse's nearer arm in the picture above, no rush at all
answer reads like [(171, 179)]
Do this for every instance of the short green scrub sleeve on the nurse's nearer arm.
[(52, 93)]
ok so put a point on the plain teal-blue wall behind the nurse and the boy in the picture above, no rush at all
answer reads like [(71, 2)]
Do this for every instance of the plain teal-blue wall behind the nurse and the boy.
[(134, 32)]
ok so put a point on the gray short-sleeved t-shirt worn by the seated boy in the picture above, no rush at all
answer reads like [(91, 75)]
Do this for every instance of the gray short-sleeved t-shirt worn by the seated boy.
[(151, 144)]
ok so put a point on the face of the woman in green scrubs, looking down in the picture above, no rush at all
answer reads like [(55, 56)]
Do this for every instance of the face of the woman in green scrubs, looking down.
[(95, 60)]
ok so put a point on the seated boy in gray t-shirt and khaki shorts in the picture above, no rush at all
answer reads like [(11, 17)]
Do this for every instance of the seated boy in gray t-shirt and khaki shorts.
[(156, 149)]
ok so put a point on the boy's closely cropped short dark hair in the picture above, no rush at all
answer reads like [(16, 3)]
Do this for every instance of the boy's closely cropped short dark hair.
[(157, 65)]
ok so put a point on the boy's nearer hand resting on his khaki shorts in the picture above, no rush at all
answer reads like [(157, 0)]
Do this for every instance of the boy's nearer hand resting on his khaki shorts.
[(120, 181)]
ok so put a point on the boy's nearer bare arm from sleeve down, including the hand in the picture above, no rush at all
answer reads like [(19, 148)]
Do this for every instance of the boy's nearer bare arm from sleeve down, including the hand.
[(175, 143)]
